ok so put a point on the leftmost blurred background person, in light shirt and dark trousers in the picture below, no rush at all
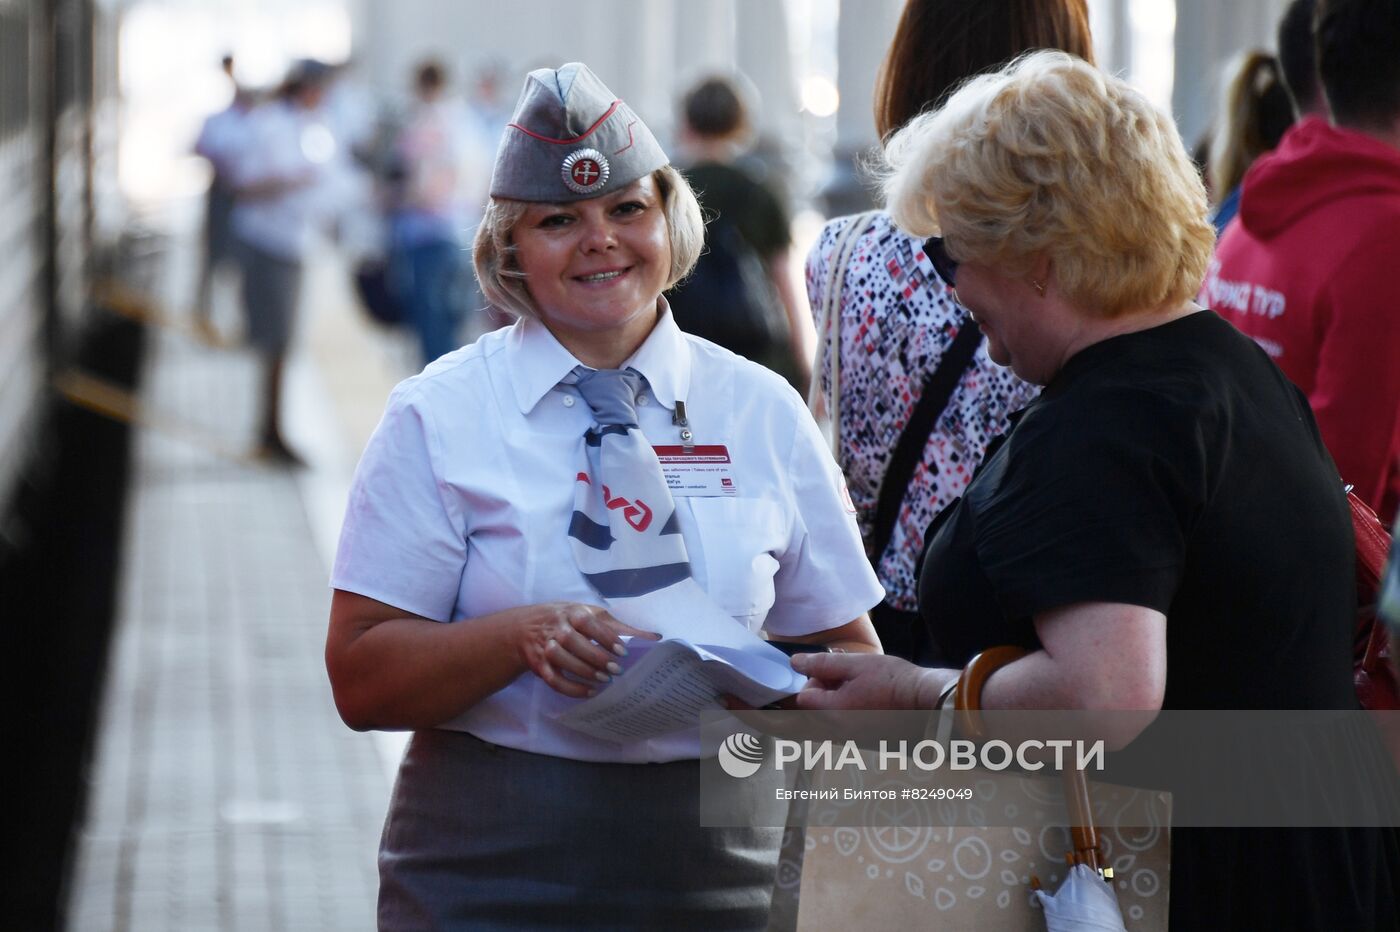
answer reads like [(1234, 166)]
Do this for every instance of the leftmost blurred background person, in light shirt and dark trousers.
[(220, 141)]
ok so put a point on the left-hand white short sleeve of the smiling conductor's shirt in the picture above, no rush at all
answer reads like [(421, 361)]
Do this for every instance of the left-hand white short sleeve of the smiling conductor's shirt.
[(404, 542)]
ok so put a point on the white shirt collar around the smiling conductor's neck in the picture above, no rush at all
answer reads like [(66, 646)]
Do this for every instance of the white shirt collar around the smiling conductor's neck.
[(538, 362)]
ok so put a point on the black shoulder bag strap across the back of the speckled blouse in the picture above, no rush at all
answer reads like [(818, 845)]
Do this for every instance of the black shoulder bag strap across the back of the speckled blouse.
[(909, 451)]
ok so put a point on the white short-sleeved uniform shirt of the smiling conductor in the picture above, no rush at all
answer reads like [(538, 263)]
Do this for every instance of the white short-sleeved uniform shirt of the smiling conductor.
[(463, 502)]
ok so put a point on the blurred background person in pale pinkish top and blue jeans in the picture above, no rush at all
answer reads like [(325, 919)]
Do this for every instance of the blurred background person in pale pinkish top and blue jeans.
[(432, 216)]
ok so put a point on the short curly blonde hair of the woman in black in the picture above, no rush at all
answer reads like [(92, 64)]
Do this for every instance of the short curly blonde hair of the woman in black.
[(1052, 157)]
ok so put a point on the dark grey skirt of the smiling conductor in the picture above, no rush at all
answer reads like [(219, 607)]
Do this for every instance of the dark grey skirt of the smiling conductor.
[(486, 838)]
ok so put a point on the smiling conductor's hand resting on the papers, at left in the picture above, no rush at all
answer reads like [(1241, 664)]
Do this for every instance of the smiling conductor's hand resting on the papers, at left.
[(573, 647)]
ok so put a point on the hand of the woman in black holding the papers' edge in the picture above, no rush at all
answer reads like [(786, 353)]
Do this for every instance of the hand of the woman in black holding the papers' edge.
[(867, 681)]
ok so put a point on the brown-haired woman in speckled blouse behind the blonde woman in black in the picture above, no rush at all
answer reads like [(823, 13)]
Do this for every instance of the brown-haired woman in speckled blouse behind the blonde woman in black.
[(898, 318)]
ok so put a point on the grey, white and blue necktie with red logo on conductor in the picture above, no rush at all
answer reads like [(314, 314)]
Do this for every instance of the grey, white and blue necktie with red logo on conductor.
[(624, 531)]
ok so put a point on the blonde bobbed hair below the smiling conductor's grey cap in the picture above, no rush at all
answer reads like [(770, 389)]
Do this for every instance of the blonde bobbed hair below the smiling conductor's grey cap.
[(502, 281)]
